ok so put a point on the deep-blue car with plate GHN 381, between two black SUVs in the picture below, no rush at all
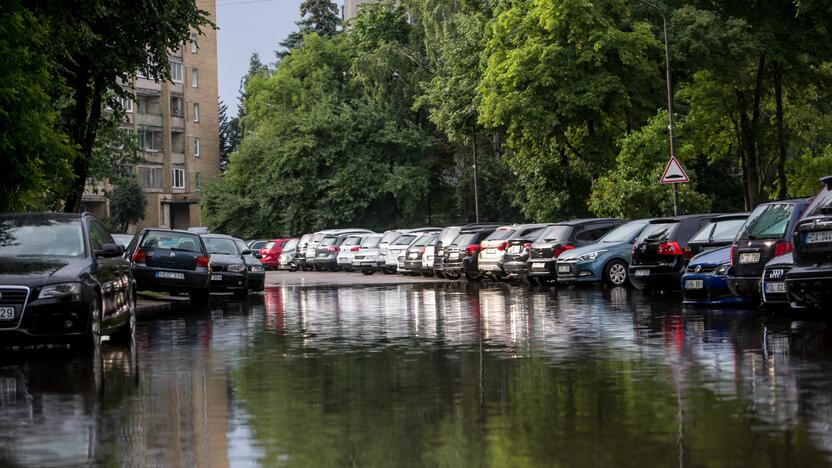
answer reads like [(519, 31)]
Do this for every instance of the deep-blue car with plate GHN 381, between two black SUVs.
[(705, 280)]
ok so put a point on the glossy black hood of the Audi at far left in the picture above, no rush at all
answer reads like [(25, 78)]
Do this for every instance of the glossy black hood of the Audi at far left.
[(32, 271)]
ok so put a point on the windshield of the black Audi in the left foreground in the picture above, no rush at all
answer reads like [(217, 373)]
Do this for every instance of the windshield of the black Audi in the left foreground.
[(41, 238)]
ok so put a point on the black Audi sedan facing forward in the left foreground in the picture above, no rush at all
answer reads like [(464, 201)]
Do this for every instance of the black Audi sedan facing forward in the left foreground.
[(62, 279)]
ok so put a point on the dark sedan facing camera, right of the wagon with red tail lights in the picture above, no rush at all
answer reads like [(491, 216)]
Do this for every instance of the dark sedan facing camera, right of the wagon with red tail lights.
[(229, 272)]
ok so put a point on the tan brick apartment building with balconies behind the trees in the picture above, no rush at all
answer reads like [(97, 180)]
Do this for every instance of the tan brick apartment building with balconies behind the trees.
[(177, 127)]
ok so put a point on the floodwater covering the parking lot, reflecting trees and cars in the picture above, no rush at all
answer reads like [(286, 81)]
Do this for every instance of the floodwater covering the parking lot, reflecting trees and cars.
[(445, 374)]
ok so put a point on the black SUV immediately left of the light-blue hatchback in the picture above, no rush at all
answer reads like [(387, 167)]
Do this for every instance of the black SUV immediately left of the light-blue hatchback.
[(560, 237)]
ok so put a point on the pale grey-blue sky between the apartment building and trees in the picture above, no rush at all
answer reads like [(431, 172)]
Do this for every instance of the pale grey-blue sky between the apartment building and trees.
[(248, 26)]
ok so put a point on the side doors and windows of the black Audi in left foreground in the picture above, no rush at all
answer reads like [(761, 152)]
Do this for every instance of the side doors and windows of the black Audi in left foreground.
[(112, 275)]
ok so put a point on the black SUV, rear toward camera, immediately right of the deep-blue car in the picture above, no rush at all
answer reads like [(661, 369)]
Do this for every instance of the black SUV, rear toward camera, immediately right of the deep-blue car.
[(767, 233)]
